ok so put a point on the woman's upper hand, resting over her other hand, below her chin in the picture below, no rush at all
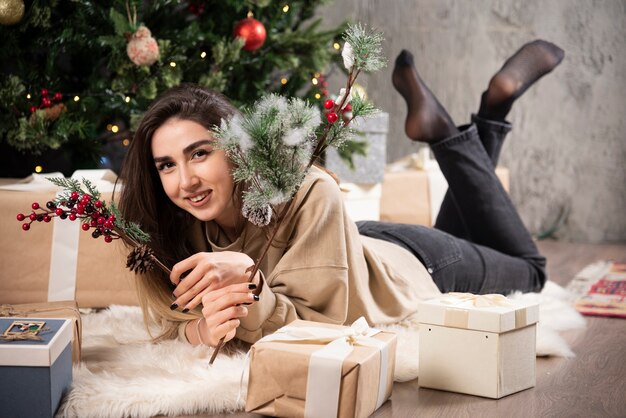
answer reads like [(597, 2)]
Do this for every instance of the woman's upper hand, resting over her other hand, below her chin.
[(202, 273)]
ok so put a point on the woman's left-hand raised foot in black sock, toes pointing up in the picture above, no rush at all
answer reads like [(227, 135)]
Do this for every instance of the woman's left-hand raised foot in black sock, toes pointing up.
[(427, 120)]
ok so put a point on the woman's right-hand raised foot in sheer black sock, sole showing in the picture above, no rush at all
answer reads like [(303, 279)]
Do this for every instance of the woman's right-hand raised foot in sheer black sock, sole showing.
[(519, 72)]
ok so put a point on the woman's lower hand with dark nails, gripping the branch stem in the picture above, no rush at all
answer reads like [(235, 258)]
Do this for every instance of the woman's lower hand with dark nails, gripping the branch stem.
[(221, 310)]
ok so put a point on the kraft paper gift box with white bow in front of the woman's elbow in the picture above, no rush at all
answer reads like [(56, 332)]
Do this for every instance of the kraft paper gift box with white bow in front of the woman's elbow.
[(310, 369)]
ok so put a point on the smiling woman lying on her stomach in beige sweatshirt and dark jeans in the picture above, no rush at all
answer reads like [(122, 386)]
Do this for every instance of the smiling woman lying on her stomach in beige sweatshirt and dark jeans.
[(179, 185)]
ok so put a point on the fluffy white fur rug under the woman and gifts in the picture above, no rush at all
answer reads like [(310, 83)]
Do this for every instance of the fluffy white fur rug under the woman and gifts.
[(122, 374)]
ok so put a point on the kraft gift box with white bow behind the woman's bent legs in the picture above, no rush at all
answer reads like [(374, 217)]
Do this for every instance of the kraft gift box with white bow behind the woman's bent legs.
[(413, 190)]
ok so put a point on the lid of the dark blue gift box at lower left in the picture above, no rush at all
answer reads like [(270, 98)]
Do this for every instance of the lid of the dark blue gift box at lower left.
[(55, 336)]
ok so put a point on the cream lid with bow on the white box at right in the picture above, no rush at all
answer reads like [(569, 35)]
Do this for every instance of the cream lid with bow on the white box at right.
[(492, 313)]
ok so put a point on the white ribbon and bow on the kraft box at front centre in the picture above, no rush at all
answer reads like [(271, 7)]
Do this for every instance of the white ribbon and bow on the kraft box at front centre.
[(324, 378)]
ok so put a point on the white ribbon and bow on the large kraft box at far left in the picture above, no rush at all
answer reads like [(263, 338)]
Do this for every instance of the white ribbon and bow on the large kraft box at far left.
[(65, 235)]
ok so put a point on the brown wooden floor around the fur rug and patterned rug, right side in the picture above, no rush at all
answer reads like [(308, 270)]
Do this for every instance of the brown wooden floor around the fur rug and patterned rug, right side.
[(593, 384)]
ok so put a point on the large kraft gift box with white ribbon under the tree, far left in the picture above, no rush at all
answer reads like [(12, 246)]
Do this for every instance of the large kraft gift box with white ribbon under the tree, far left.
[(57, 260)]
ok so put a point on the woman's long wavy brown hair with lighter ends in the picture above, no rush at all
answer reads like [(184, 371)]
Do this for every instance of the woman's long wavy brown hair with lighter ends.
[(143, 200)]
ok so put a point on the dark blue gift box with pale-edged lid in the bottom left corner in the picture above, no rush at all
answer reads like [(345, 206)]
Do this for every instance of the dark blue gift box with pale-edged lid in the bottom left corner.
[(34, 375)]
